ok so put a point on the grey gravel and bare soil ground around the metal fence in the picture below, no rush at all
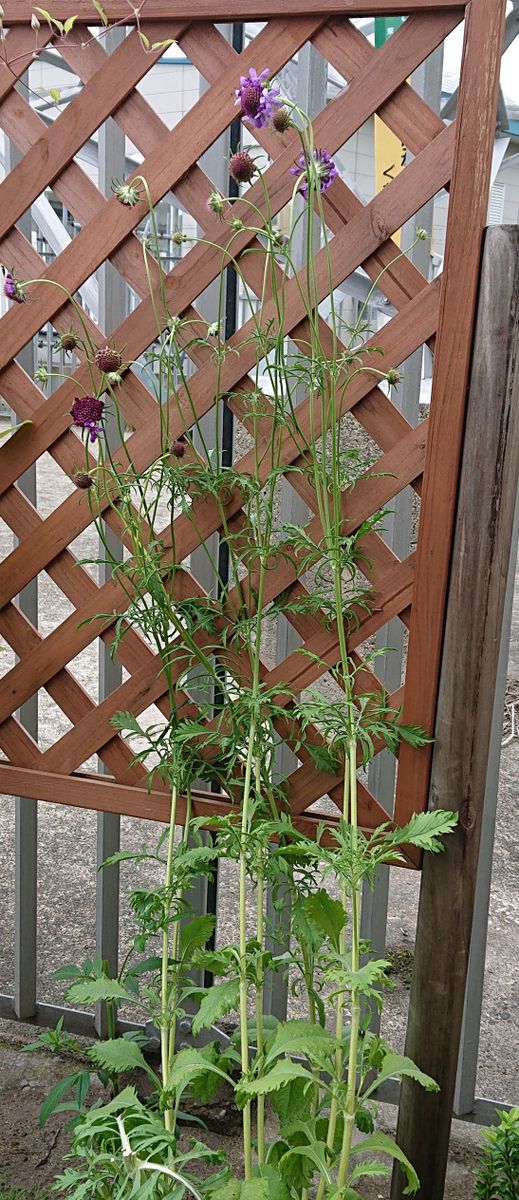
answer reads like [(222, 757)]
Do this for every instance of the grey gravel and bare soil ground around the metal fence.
[(67, 921)]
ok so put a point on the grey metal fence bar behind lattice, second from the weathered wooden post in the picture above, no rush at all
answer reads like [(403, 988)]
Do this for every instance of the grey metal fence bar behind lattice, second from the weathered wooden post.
[(312, 95)]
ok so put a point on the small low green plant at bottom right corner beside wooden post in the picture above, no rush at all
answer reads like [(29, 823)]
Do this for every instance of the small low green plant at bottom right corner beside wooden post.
[(498, 1173)]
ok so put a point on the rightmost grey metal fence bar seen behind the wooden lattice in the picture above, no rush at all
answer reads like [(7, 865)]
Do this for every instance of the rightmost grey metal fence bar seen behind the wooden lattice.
[(427, 82)]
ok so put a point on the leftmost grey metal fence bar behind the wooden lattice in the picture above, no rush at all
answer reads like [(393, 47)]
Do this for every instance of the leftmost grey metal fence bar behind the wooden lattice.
[(26, 811)]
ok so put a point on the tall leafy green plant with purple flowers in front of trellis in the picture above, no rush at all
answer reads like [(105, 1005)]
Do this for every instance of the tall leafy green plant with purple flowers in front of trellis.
[(320, 1075)]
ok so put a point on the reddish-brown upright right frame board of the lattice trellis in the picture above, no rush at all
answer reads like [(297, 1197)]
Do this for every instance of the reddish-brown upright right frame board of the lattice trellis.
[(468, 217)]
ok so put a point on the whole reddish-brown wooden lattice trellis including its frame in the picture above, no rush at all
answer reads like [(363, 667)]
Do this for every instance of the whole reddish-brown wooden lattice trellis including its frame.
[(439, 314)]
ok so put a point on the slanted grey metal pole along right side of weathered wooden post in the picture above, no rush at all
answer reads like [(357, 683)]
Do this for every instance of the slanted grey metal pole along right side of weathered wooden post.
[(466, 1087)]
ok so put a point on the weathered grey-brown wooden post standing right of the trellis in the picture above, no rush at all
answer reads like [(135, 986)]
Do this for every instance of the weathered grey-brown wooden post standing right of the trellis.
[(485, 521)]
